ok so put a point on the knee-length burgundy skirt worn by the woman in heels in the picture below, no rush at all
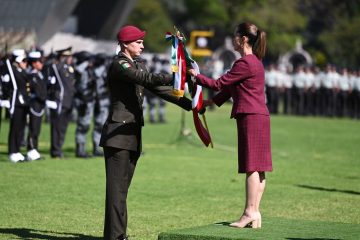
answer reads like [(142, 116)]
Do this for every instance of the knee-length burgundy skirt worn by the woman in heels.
[(254, 147)]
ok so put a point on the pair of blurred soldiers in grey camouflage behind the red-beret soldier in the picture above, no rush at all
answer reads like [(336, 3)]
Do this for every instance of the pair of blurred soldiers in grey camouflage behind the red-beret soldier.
[(91, 100)]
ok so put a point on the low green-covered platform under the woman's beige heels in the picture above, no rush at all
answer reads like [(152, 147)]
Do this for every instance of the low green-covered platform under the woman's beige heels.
[(272, 228)]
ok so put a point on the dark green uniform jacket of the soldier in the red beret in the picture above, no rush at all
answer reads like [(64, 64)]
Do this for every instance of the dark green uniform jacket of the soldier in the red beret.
[(127, 80)]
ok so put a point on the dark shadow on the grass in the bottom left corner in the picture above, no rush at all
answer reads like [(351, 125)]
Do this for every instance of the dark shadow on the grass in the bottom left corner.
[(26, 233)]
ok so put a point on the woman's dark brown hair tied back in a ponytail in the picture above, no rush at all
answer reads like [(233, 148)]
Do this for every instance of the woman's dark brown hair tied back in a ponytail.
[(257, 38)]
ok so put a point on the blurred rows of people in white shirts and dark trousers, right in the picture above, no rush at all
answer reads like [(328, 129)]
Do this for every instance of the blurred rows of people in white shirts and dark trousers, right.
[(308, 91)]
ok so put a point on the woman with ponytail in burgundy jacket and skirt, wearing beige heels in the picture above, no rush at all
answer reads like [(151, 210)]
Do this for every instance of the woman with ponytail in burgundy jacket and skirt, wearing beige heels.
[(245, 83)]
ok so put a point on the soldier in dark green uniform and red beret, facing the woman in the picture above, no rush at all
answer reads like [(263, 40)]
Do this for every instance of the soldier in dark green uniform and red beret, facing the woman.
[(121, 134)]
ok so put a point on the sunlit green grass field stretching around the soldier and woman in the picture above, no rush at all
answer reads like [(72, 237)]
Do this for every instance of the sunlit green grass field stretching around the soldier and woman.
[(313, 192)]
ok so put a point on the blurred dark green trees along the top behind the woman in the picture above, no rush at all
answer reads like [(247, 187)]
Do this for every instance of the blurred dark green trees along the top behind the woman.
[(328, 29)]
